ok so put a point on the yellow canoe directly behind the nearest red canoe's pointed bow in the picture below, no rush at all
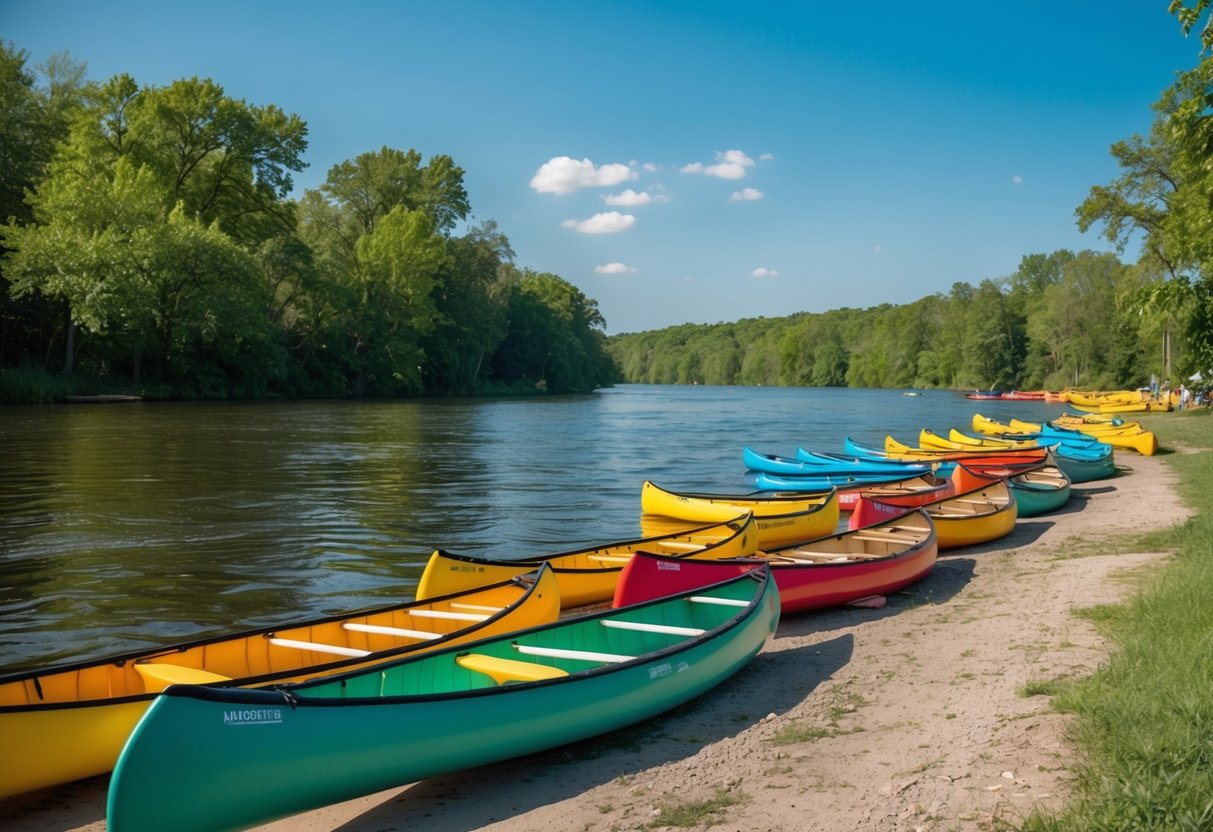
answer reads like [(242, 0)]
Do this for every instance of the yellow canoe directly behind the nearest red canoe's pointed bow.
[(589, 575)]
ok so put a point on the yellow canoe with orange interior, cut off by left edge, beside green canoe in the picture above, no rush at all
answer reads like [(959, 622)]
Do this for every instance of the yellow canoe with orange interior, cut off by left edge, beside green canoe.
[(70, 722)]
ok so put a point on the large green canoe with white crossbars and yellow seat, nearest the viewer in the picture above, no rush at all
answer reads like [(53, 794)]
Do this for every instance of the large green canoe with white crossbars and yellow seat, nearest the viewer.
[(253, 756)]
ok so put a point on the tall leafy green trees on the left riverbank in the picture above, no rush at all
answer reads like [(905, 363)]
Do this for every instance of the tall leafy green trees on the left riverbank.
[(150, 246)]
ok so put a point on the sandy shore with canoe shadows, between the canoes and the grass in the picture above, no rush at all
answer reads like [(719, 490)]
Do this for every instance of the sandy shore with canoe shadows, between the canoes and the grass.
[(901, 719)]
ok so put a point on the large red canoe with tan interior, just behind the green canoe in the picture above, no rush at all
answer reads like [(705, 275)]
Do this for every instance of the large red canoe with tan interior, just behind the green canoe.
[(829, 572)]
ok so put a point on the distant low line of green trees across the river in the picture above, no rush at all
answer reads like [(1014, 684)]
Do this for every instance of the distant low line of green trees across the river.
[(1063, 320)]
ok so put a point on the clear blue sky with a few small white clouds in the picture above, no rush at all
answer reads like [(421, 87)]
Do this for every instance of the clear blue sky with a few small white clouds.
[(696, 162)]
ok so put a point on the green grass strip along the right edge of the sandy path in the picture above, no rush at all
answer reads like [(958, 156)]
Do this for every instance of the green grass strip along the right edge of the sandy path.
[(1143, 728)]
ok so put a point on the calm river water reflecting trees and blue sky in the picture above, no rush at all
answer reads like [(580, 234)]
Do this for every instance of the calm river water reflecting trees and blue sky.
[(139, 525)]
